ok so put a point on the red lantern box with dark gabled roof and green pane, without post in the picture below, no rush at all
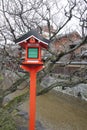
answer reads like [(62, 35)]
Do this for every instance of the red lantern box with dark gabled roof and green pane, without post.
[(33, 43)]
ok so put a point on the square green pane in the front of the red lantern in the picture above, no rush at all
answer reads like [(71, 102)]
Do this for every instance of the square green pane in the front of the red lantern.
[(32, 52)]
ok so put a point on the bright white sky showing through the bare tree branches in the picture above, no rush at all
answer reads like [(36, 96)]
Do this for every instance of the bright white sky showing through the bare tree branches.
[(58, 15)]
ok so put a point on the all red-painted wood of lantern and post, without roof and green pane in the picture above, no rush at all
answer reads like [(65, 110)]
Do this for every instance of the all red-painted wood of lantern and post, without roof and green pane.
[(32, 65)]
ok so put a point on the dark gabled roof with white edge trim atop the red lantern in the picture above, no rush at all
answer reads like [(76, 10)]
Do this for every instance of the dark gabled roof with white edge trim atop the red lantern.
[(35, 34)]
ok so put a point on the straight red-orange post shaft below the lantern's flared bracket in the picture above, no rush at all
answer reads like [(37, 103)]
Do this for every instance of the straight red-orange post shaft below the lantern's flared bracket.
[(32, 99)]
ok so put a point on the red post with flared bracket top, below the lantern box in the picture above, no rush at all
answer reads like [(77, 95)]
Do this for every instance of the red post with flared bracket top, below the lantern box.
[(33, 69)]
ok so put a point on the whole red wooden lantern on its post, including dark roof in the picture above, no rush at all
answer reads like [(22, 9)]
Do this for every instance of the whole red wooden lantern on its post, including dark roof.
[(33, 43)]
